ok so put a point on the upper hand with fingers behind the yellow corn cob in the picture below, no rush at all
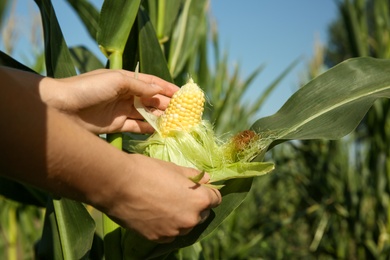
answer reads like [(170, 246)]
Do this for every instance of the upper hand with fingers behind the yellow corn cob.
[(102, 101)]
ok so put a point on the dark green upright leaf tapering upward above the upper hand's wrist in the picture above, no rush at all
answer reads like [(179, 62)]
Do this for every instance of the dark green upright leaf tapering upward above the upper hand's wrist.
[(58, 61)]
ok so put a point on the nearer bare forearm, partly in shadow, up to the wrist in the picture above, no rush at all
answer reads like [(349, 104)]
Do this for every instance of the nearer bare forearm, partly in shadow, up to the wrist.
[(45, 148)]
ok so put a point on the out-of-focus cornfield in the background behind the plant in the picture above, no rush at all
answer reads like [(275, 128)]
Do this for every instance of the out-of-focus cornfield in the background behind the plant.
[(325, 200)]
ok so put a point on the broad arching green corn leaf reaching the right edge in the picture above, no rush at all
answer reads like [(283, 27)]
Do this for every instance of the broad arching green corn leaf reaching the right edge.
[(331, 105)]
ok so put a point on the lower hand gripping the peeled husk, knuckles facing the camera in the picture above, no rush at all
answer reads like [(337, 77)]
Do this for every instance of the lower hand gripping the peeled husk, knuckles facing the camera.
[(159, 201)]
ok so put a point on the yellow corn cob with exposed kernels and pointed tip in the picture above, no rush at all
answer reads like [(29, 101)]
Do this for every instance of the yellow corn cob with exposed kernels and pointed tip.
[(184, 111)]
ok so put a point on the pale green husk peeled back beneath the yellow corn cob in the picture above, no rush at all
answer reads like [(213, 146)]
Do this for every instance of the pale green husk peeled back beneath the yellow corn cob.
[(201, 149)]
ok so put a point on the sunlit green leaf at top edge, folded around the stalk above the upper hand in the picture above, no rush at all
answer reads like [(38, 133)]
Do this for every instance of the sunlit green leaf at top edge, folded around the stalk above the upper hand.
[(116, 20)]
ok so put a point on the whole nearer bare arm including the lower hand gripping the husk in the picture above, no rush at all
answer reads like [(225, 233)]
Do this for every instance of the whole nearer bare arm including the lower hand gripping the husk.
[(49, 150)]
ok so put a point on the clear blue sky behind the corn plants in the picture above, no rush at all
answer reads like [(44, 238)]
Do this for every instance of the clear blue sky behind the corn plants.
[(253, 32)]
